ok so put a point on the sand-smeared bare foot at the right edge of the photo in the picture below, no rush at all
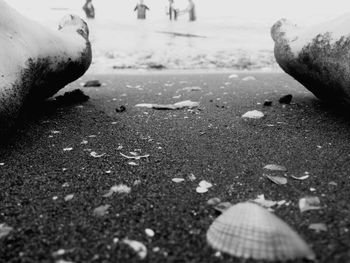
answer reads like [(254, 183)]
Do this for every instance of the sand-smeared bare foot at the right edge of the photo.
[(317, 56)]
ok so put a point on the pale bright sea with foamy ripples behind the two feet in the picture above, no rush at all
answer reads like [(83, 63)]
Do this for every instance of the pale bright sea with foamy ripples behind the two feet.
[(228, 34)]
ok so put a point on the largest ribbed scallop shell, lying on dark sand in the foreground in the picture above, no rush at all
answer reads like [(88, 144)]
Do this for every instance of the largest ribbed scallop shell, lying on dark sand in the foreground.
[(250, 231)]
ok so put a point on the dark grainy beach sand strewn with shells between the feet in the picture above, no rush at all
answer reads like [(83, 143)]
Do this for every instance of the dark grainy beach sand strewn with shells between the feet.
[(213, 143)]
